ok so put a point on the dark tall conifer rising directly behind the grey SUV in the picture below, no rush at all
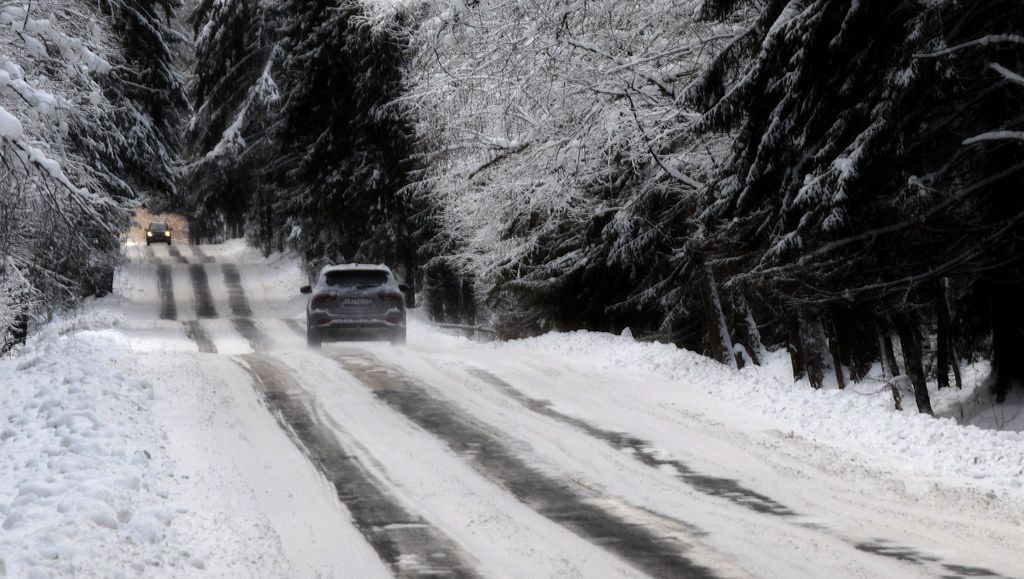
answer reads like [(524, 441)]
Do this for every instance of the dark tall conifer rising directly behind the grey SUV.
[(345, 147)]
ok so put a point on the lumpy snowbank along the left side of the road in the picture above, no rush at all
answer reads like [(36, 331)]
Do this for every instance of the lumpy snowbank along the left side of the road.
[(79, 467)]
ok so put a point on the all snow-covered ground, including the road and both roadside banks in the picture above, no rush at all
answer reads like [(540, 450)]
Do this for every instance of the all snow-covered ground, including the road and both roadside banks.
[(209, 443)]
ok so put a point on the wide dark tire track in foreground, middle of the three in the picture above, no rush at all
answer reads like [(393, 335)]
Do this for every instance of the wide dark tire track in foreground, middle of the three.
[(496, 459)]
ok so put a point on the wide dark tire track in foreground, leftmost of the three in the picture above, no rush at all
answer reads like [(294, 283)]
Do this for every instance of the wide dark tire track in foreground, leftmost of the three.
[(411, 546)]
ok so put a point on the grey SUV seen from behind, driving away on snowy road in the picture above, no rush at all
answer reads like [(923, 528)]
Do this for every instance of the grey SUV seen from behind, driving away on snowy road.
[(356, 303)]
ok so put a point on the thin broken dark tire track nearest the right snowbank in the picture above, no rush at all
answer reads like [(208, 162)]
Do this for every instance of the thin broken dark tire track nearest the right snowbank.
[(644, 451)]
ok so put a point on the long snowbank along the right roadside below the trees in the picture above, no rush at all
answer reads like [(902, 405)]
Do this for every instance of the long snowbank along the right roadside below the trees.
[(864, 422)]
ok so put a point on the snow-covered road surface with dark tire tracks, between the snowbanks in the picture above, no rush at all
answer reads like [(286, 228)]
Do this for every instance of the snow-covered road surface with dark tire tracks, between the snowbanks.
[(457, 460)]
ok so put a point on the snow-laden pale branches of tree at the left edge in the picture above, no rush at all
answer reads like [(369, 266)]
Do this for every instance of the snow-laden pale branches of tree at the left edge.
[(68, 172)]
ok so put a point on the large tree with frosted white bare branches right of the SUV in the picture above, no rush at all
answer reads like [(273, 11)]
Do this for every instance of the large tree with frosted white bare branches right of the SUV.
[(563, 169)]
